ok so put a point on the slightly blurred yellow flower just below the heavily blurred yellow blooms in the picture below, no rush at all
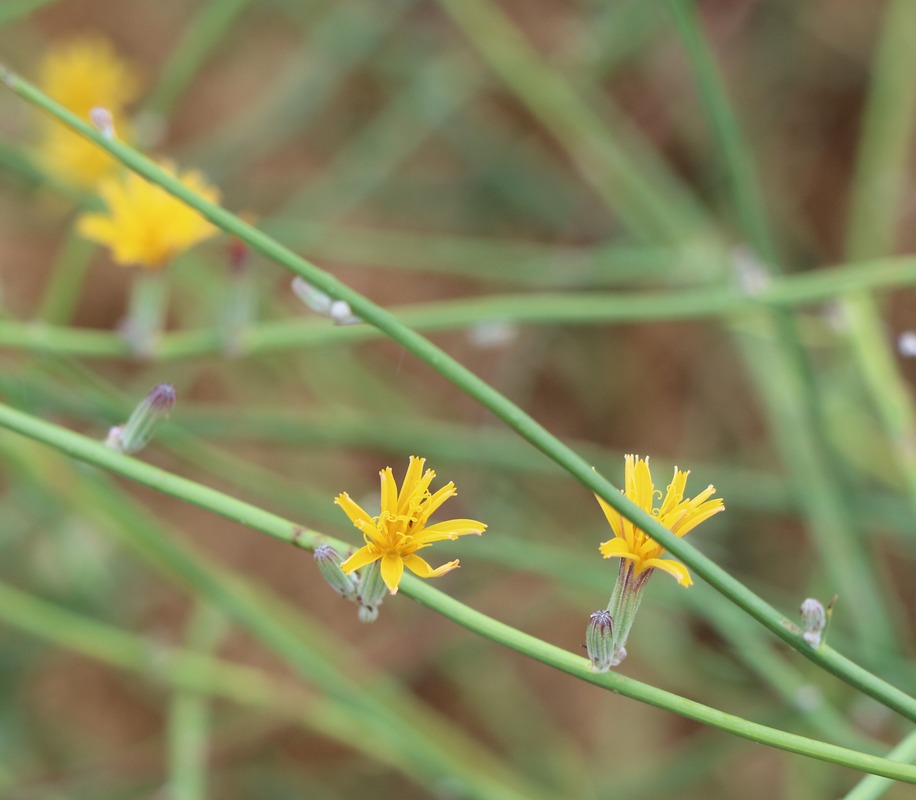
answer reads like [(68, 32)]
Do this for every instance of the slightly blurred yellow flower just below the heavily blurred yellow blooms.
[(144, 224)]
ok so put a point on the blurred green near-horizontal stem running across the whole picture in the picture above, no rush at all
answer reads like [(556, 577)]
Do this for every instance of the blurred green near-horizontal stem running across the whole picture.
[(568, 308)]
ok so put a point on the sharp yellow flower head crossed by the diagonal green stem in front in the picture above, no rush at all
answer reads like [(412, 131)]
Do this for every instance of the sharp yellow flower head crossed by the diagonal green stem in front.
[(676, 514)]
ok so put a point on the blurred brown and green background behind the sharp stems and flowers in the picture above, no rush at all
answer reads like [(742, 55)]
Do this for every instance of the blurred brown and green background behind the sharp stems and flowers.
[(456, 162)]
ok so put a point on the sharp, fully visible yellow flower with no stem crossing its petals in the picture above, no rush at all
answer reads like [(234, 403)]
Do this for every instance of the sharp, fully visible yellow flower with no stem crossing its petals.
[(395, 535)]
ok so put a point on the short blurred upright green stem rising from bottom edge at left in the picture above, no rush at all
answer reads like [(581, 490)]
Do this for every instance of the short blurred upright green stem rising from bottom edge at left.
[(189, 713)]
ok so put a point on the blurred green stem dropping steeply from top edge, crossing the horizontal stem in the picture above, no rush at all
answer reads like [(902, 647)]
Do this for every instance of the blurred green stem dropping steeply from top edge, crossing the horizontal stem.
[(792, 402)]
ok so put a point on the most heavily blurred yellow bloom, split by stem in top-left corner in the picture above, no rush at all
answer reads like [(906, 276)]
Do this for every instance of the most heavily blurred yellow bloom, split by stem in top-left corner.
[(83, 74)]
